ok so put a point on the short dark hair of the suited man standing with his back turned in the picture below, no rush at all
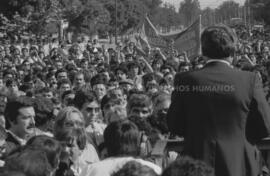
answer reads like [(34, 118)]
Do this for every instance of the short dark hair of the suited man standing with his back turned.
[(218, 42)]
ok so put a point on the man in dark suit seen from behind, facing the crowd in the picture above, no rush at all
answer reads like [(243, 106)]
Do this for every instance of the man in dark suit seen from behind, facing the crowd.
[(220, 111)]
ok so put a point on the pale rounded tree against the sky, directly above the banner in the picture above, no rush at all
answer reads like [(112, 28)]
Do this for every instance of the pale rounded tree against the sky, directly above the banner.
[(190, 10)]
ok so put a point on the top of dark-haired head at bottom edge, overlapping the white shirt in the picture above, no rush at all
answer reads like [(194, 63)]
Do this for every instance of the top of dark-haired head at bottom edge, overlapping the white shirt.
[(133, 168)]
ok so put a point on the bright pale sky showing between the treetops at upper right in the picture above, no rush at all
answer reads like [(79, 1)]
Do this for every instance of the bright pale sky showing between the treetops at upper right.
[(204, 3)]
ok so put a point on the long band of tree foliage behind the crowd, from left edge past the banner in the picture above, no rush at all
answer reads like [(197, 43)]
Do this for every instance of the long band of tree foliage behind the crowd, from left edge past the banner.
[(87, 16)]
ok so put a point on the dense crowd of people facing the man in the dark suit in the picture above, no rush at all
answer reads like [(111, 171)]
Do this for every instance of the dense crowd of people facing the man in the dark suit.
[(84, 109)]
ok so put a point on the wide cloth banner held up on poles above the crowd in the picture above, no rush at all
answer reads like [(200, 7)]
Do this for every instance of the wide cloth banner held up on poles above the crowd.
[(187, 40)]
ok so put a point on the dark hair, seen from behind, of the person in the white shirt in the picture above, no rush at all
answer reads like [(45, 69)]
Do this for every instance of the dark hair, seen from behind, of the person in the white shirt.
[(122, 138)]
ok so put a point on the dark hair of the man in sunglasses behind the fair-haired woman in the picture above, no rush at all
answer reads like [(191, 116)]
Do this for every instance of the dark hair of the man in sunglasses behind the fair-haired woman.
[(82, 97)]
